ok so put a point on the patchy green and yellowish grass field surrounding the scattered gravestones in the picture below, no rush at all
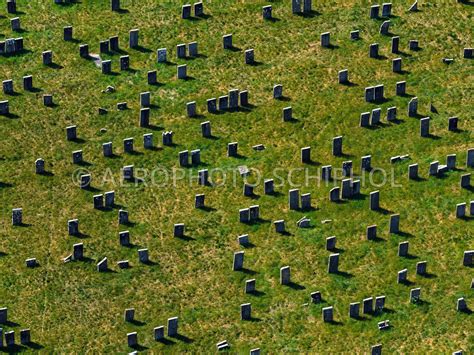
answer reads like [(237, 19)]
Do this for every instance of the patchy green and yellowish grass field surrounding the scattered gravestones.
[(73, 308)]
